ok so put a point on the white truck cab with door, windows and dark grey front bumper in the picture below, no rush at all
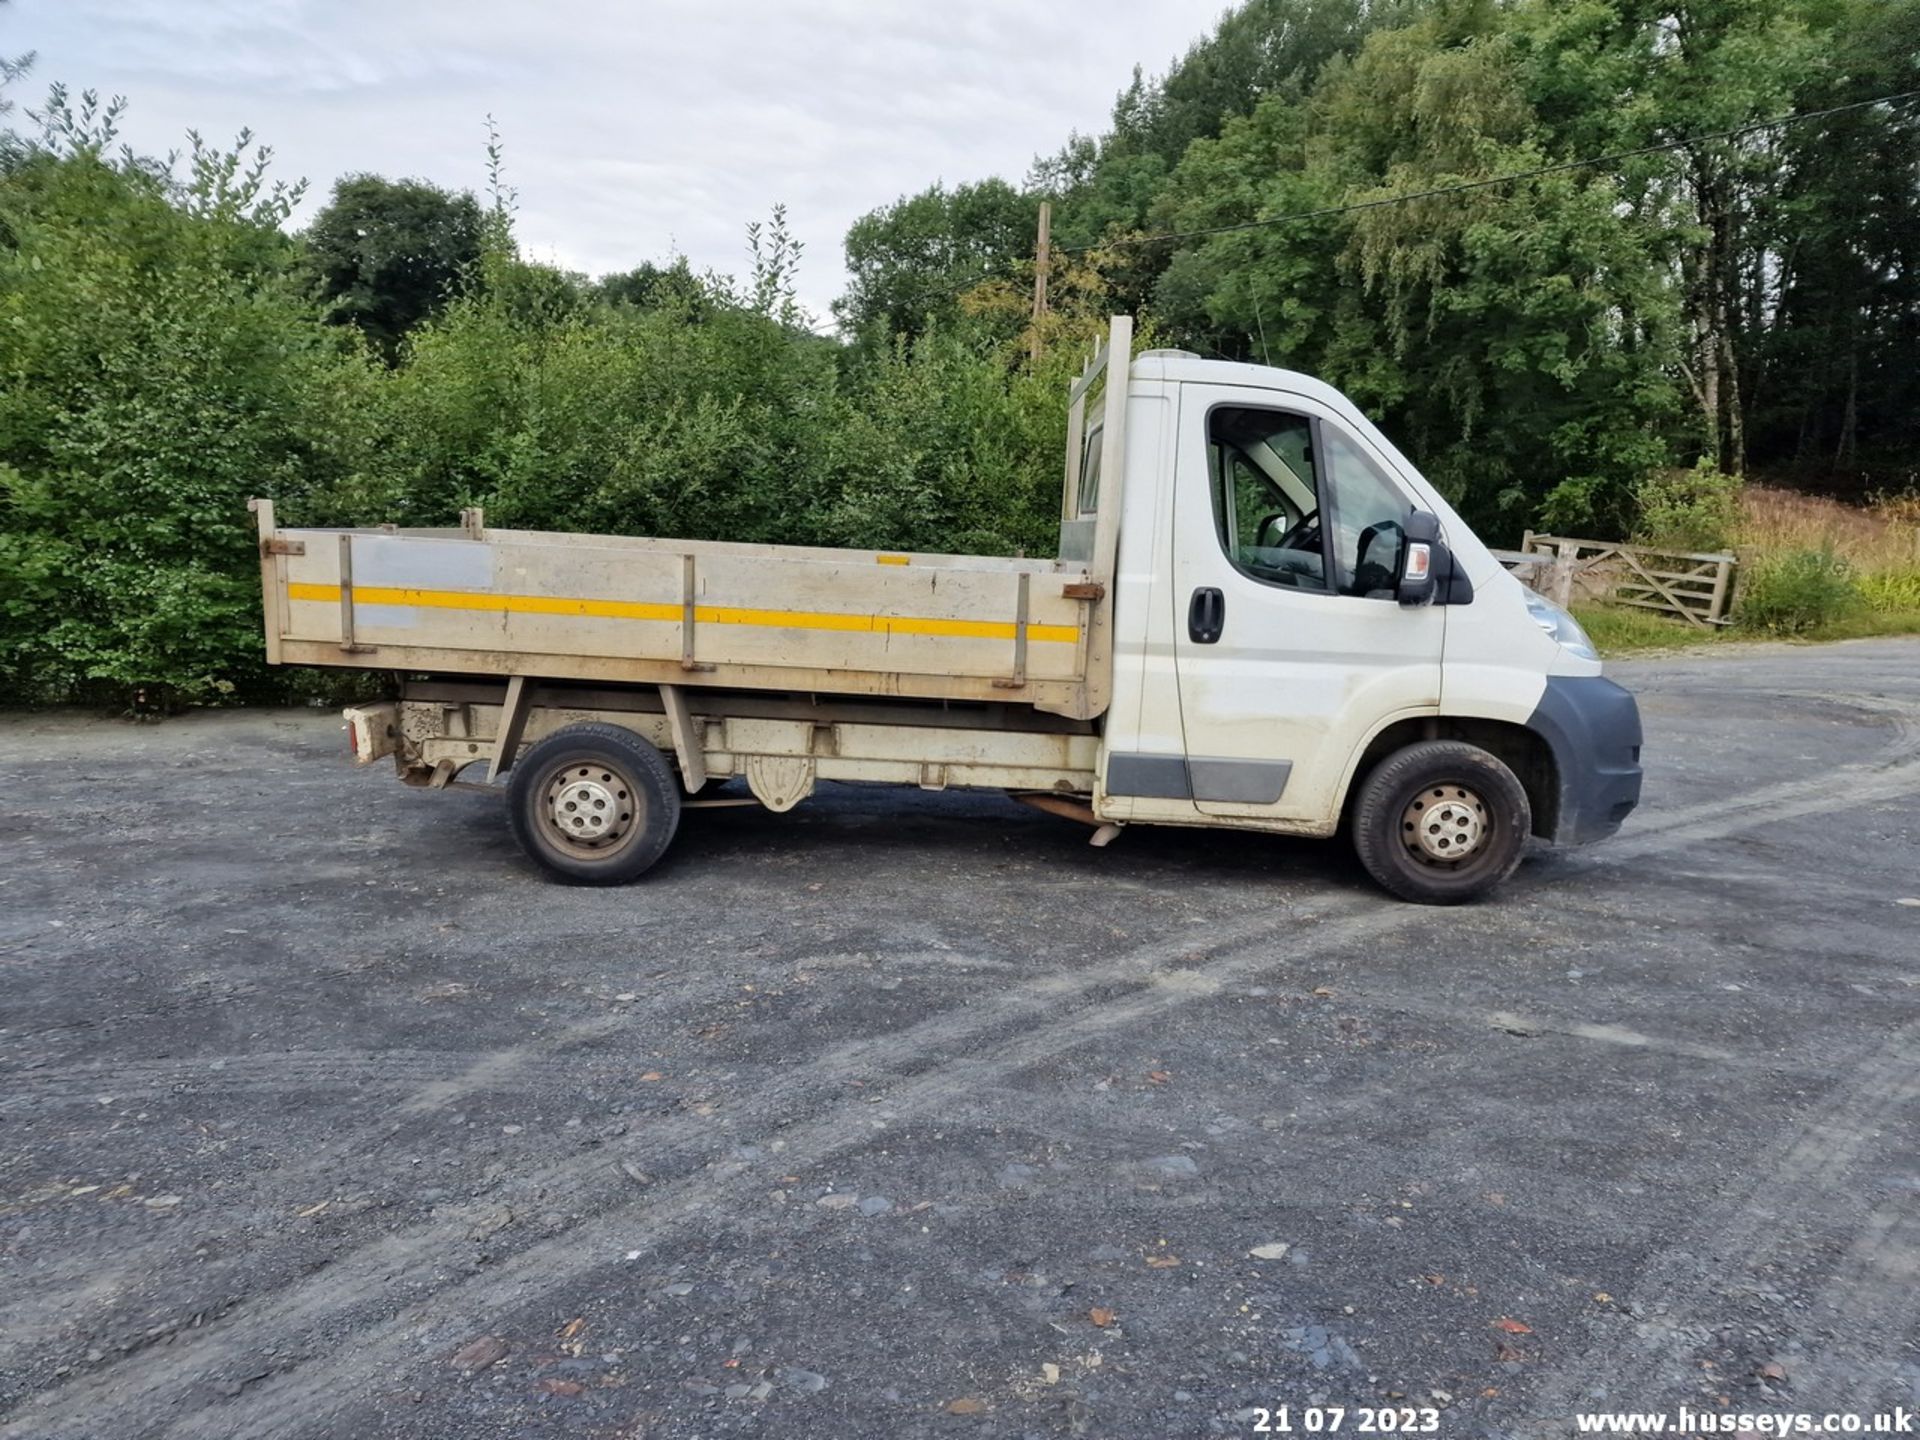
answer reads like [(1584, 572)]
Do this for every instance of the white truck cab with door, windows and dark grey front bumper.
[(1272, 650)]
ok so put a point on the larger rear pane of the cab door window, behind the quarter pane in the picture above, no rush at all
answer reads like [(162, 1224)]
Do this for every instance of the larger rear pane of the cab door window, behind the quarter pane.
[(1266, 496)]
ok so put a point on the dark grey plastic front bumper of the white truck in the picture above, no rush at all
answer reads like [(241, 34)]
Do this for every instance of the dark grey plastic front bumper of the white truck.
[(1593, 729)]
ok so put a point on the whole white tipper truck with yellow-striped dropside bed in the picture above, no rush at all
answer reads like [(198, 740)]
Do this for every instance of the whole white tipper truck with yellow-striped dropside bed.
[(1262, 617)]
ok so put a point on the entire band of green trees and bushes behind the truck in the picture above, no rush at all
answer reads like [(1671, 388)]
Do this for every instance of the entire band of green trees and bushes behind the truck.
[(1589, 348)]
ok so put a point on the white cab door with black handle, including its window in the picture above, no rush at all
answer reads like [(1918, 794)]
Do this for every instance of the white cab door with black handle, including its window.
[(1291, 646)]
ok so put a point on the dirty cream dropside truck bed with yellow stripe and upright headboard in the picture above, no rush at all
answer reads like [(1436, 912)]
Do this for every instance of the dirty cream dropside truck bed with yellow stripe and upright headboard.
[(754, 617)]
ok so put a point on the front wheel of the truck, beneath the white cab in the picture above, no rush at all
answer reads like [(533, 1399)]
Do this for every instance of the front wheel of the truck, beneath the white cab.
[(1441, 823)]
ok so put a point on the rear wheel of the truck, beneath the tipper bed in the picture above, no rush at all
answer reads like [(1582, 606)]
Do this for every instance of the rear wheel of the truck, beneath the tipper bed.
[(596, 805)]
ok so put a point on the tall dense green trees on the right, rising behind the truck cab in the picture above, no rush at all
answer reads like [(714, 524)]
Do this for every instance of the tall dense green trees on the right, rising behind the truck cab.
[(1547, 343)]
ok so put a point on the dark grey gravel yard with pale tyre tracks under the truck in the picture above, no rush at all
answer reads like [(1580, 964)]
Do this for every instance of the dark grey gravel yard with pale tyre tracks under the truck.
[(907, 1115)]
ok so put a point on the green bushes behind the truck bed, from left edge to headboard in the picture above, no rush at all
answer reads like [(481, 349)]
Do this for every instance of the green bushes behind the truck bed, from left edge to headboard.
[(168, 354)]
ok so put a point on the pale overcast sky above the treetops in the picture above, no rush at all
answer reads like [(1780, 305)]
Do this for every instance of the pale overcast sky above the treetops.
[(633, 132)]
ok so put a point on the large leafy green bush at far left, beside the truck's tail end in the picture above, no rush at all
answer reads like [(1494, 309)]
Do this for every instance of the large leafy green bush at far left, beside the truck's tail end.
[(160, 368)]
